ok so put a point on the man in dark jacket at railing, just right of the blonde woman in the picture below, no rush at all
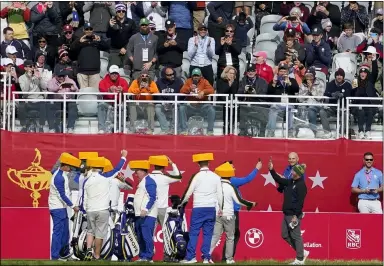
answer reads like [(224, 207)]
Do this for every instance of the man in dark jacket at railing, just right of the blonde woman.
[(252, 84)]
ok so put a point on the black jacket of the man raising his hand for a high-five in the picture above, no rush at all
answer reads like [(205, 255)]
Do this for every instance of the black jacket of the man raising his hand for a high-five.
[(294, 194)]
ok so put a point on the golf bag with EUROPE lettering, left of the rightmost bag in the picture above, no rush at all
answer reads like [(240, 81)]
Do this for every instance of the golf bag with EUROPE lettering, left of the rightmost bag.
[(126, 245)]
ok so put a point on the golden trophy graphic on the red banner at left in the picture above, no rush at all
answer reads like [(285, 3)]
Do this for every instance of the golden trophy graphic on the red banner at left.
[(35, 178)]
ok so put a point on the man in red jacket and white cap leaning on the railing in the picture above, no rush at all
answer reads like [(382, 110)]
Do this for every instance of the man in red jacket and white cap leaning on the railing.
[(112, 82)]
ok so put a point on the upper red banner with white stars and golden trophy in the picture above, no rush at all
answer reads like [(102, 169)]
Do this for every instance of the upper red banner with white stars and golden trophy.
[(27, 163)]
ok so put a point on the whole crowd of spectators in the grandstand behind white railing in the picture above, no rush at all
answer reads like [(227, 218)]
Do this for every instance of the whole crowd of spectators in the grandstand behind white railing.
[(332, 49)]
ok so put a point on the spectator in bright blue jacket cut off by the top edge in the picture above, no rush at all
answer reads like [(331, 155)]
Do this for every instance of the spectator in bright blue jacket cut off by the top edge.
[(182, 14)]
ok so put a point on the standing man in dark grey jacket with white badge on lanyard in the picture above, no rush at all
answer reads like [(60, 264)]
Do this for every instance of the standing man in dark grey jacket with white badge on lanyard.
[(141, 51)]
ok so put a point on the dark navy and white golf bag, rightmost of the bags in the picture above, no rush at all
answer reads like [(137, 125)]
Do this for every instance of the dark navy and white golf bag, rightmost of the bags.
[(175, 233)]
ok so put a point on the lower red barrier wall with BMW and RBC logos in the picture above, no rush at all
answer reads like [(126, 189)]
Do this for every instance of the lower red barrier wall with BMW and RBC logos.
[(326, 235)]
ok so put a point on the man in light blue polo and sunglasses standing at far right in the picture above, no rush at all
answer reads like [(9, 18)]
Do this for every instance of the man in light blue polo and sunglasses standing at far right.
[(368, 184)]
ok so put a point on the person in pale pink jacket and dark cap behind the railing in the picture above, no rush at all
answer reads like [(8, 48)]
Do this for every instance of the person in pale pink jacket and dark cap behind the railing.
[(60, 84)]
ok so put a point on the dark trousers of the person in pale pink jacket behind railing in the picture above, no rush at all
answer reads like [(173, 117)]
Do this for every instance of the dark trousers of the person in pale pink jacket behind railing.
[(54, 118)]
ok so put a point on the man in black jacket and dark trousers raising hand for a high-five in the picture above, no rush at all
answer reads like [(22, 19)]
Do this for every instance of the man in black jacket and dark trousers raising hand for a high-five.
[(295, 192)]
